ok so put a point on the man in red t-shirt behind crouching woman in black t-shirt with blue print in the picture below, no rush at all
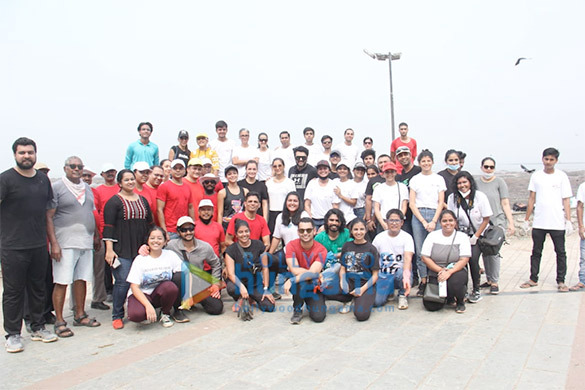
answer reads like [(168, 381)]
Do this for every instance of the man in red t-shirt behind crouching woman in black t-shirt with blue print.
[(258, 226)]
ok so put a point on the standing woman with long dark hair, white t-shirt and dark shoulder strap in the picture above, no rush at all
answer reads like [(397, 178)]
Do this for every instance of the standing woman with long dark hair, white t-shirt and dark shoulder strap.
[(473, 211)]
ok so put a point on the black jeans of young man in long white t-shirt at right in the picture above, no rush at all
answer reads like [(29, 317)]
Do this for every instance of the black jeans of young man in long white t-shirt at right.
[(558, 238)]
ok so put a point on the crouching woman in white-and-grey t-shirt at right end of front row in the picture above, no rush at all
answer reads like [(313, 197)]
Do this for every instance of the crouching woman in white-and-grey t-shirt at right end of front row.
[(446, 252)]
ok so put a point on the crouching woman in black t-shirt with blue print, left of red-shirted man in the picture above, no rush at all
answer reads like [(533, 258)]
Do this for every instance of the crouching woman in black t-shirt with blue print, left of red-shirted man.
[(247, 269)]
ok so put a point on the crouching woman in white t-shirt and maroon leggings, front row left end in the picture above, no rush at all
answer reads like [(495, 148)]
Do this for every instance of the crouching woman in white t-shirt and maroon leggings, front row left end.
[(151, 281)]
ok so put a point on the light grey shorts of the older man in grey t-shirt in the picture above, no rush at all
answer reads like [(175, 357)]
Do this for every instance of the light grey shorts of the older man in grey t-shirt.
[(75, 264)]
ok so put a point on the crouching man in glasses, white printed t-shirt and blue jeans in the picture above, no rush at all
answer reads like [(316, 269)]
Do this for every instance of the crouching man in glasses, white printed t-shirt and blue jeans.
[(396, 249)]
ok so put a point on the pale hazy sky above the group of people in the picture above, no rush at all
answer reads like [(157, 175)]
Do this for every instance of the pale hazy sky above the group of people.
[(78, 76)]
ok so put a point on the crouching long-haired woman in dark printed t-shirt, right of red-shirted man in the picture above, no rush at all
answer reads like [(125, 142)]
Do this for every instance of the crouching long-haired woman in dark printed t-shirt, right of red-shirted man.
[(359, 270)]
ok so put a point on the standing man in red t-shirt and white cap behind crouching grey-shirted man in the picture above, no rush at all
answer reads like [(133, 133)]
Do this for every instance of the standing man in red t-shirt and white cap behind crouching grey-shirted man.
[(174, 199)]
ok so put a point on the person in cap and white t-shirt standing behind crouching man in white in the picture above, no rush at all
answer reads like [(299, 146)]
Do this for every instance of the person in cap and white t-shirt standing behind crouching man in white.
[(389, 195)]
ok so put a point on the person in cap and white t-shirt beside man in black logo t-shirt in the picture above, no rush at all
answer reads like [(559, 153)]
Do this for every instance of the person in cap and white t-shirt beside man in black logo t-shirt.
[(320, 195)]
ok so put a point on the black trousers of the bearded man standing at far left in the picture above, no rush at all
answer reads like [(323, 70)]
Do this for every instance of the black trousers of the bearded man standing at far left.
[(23, 270)]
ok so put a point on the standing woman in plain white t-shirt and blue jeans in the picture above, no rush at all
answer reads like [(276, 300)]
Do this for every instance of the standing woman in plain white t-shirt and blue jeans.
[(427, 195)]
